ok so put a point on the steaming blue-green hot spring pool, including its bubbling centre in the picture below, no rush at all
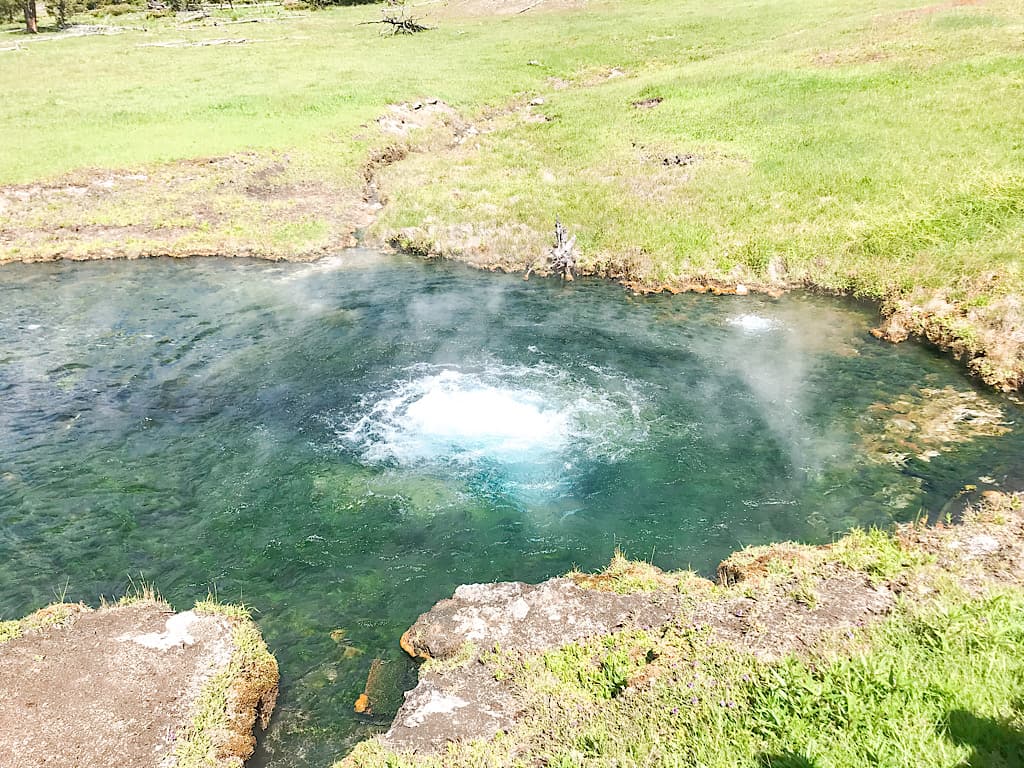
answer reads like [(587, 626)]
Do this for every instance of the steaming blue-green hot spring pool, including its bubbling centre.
[(340, 445)]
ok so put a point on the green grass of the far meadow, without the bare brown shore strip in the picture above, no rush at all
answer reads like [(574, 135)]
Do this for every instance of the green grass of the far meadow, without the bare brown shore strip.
[(873, 149)]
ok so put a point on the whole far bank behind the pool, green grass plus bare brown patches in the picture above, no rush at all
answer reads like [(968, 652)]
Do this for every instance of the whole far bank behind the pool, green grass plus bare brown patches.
[(870, 149)]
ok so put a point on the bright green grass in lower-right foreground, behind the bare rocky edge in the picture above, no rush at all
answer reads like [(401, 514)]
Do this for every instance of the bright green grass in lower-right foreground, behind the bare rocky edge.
[(941, 685)]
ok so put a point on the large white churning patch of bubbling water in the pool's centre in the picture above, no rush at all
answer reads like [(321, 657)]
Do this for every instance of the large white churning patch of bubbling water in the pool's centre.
[(515, 416)]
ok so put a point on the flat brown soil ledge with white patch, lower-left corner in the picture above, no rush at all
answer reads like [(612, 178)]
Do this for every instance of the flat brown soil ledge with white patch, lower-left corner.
[(133, 686)]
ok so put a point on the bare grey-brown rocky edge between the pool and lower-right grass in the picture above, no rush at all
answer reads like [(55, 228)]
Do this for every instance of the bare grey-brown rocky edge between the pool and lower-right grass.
[(770, 604)]
